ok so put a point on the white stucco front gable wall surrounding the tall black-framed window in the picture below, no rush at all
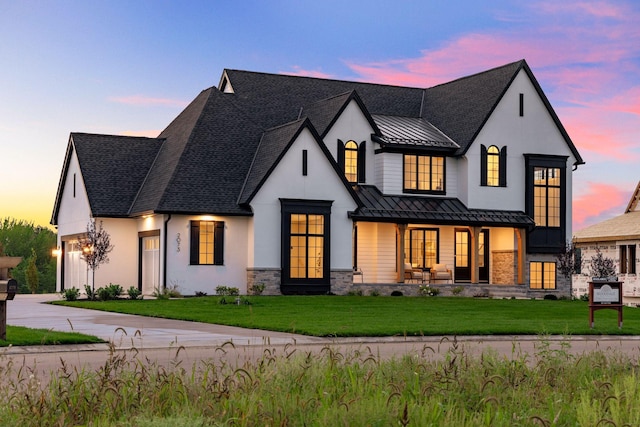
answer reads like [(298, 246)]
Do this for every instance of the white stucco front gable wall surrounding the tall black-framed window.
[(287, 181)]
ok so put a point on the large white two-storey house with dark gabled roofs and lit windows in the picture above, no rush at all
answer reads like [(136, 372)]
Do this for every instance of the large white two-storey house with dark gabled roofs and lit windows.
[(311, 186)]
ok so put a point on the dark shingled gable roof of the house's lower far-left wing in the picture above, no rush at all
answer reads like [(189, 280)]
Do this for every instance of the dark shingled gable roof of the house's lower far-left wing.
[(113, 169)]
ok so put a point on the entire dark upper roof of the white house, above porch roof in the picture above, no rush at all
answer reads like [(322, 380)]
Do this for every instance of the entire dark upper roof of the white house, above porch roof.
[(210, 159)]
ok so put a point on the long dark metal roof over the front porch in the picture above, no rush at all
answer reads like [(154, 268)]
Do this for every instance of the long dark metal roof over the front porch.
[(431, 210)]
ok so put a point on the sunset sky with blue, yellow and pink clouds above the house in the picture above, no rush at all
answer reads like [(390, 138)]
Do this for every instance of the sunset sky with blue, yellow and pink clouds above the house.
[(129, 67)]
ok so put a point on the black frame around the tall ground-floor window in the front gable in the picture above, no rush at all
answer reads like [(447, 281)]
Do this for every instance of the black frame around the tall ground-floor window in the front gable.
[(309, 286)]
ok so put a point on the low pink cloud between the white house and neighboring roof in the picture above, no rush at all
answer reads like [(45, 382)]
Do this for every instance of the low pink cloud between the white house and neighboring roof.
[(599, 202)]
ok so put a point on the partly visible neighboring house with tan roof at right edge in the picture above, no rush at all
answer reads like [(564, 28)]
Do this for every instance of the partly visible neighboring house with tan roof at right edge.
[(616, 238)]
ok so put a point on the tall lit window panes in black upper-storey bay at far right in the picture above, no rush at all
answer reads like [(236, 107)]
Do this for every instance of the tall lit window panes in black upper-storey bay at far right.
[(546, 204)]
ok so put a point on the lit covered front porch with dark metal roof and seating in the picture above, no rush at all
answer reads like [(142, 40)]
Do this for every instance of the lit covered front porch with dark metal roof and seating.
[(398, 240)]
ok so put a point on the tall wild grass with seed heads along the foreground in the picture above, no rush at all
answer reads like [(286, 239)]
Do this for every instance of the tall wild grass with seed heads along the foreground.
[(291, 386)]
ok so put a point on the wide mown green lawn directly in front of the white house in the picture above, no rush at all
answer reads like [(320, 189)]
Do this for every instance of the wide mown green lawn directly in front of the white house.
[(385, 316)]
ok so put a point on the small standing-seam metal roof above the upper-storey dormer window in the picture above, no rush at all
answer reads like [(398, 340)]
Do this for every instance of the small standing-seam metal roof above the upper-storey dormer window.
[(411, 131)]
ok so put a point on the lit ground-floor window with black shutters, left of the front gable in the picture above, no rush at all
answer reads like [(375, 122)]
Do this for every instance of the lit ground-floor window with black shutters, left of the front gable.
[(207, 243)]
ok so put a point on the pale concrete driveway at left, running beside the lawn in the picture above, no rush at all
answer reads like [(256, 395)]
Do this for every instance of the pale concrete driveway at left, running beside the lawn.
[(126, 331)]
